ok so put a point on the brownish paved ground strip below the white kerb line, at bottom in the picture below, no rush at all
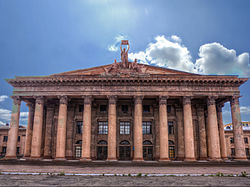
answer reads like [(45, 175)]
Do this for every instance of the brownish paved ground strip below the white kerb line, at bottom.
[(46, 180)]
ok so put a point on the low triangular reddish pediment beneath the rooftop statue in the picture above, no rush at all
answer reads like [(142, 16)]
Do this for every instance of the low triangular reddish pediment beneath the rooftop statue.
[(116, 68)]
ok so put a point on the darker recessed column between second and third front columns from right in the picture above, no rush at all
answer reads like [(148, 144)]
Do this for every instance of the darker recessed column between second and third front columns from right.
[(202, 132)]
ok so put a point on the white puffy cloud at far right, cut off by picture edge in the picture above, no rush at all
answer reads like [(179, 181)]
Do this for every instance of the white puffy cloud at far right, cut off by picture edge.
[(216, 59)]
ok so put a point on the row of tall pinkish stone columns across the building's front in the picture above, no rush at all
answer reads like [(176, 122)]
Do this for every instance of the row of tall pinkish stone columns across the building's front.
[(215, 130)]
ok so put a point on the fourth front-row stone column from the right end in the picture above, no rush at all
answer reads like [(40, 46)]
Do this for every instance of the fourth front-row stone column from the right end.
[(163, 118)]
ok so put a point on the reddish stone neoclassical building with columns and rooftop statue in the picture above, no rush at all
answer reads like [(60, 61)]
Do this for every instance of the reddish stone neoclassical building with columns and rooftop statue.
[(126, 111)]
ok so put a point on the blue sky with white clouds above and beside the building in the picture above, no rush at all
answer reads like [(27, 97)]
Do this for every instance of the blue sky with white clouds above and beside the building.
[(43, 37)]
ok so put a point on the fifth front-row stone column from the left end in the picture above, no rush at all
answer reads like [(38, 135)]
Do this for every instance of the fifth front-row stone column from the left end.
[(112, 129)]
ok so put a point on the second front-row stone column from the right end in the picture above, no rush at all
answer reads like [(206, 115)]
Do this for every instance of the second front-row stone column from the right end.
[(214, 152)]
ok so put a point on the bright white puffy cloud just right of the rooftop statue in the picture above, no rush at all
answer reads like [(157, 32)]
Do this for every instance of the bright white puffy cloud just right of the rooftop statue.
[(166, 53)]
